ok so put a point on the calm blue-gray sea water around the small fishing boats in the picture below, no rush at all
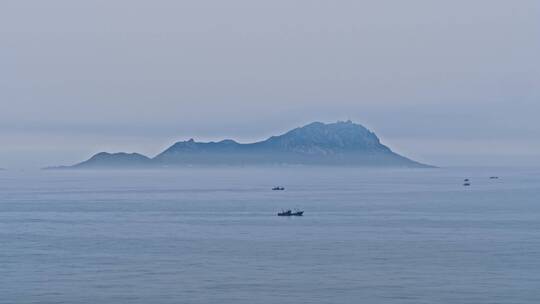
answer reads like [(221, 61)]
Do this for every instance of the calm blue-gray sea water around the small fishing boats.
[(211, 236)]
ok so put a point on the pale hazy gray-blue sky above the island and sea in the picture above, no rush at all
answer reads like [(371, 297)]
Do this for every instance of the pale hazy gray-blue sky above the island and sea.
[(446, 82)]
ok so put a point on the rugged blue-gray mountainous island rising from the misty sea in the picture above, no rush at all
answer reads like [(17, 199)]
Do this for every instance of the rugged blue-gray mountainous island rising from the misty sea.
[(339, 144)]
